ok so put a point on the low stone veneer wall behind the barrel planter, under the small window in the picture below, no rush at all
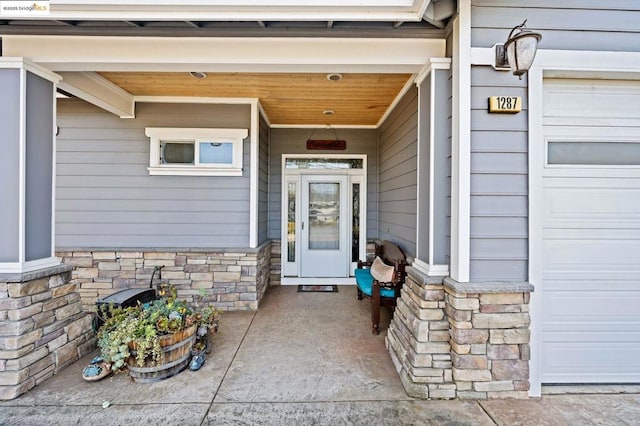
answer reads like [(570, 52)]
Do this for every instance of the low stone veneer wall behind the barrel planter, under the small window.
[(232, 279)]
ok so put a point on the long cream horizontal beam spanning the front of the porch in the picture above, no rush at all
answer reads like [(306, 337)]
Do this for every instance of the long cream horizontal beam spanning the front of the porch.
[(225, 54)]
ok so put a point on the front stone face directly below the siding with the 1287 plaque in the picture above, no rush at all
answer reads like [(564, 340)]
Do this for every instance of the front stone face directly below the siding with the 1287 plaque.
[(489, 325)]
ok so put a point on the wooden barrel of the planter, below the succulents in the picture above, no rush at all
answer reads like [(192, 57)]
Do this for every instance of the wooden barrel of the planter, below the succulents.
[(176, 355)]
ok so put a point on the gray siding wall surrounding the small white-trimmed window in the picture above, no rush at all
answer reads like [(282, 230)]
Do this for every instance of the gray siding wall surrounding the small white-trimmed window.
[(106, 197)]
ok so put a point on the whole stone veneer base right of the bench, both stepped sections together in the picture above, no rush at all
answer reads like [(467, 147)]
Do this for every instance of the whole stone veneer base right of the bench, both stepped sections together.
[(457, 340)]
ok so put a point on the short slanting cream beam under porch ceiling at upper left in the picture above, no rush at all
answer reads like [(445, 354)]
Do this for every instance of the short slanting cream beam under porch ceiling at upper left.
[(99, 91)]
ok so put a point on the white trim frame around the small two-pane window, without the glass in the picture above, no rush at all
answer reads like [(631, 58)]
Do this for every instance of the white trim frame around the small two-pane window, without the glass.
[(195, 135)]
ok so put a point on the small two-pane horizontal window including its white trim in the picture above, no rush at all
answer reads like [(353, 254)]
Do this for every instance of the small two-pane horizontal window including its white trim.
[(196, 152)]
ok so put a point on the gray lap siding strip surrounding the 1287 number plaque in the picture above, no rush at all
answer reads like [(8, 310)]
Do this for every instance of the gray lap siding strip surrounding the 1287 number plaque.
[(499, 209)]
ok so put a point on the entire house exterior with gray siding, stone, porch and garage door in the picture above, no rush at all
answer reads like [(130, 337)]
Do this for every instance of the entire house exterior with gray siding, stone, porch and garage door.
[(143, 165)]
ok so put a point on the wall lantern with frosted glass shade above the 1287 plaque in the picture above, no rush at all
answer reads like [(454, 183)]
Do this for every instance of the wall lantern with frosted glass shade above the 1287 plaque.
[(519, 51)]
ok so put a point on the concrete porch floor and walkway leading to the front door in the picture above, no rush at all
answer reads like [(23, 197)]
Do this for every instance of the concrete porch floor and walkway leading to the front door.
[(303, 358)]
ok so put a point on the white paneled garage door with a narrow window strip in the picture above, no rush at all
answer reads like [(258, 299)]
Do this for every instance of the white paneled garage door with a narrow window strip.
[(591, 238)]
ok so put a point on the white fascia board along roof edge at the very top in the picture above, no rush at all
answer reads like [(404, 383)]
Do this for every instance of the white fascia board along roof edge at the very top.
[(223, 10)]
